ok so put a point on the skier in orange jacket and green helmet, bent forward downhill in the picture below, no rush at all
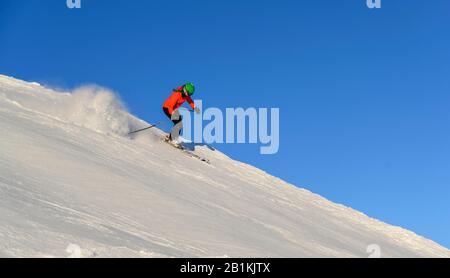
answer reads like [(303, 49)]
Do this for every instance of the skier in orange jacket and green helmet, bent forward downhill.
[(171, 105)]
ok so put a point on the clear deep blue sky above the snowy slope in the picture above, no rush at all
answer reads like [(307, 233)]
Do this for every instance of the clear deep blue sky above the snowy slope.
[(363, 94)]
